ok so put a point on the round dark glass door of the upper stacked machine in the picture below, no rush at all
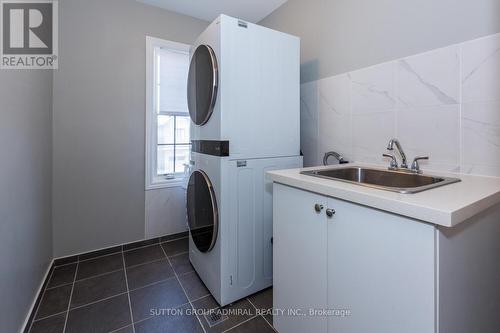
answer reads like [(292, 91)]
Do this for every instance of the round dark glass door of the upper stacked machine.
[(202, 84)]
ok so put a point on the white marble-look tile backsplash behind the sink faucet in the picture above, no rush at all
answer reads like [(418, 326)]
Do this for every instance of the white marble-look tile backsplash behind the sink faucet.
[(444, 103)]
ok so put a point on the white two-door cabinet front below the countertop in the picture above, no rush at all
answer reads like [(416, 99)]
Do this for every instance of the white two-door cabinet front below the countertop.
[(377, 269)]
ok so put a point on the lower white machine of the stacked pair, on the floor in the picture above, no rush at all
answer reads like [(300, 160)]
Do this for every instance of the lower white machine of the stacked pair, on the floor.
[(229, 206)]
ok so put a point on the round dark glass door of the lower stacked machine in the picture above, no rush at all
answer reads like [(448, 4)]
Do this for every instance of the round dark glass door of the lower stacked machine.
[(203, 217)]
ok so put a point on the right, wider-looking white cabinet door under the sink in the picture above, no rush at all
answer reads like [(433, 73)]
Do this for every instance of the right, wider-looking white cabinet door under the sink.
[(381, 269)]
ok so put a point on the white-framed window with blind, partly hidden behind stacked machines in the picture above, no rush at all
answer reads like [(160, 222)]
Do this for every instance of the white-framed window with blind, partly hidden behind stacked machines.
[(168, 143)]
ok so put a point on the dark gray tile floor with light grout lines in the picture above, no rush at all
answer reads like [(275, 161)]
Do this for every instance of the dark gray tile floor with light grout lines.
[(129, 289)]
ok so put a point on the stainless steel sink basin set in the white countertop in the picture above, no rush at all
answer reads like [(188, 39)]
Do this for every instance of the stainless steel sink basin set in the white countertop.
[(395, 181)]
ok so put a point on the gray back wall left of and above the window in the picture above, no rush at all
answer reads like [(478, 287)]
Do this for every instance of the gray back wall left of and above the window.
[(99, 119)]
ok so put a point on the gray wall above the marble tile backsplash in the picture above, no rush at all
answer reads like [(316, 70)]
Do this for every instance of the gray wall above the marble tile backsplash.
[(342, 35)]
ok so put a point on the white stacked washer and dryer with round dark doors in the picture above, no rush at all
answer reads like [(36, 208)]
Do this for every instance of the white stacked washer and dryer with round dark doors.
[(243, 98)]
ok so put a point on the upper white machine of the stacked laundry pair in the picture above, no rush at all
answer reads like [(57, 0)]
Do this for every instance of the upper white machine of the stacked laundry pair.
[(243, 90)]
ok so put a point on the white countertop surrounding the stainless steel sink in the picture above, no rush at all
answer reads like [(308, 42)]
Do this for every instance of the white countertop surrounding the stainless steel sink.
[(447, 205)]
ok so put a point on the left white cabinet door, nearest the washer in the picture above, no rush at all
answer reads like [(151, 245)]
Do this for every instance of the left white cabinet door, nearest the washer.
[(299, 260)]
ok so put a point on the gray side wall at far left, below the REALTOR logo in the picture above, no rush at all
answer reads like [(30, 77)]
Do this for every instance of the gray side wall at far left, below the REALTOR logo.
[(25, 190)]
